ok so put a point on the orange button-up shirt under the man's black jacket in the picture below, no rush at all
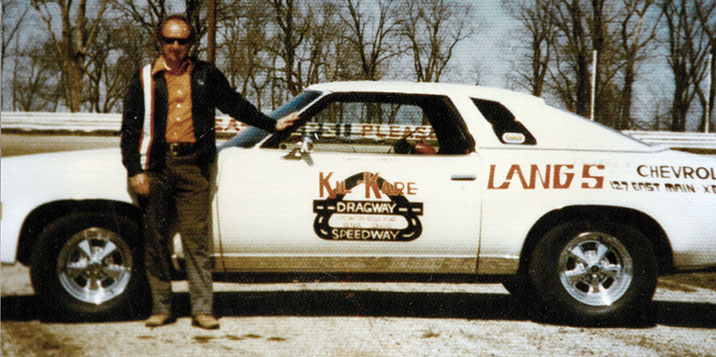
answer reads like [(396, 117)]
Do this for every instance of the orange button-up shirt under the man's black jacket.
[(180, 128)]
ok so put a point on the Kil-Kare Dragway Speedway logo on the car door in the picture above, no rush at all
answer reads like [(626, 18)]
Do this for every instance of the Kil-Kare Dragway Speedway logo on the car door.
[(375, 185)]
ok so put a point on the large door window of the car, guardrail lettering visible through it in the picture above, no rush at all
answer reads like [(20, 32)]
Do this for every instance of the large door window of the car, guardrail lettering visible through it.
[(378, 124)]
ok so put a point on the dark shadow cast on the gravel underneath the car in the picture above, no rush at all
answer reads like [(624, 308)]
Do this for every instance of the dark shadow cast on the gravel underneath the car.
[(374, 304)]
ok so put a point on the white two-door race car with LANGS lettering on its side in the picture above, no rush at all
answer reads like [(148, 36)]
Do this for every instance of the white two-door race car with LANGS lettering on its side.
[(386, 180)]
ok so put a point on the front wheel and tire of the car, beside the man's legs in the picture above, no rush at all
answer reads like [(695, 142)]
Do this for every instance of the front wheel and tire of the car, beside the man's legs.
[(89, 266)]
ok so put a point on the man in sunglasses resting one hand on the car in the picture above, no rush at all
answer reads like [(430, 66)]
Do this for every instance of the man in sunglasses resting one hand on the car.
[(168, 143)]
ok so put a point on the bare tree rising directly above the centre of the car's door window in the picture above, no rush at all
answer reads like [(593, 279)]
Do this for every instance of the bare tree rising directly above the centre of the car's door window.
[(372, 38)]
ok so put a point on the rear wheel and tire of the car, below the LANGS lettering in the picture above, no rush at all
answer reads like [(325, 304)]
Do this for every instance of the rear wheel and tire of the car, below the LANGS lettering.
[(594, 273)]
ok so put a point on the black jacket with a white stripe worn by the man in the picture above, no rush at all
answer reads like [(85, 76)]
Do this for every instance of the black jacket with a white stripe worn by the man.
[(209, 90)]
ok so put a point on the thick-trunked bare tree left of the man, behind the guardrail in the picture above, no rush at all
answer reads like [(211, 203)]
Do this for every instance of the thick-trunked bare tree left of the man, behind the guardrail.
[(78, 32)]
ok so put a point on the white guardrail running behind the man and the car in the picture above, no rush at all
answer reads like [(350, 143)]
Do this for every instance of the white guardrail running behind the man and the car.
[(97, 122)]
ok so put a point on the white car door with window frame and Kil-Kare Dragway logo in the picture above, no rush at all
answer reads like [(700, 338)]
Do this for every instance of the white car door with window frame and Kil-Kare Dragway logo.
[(366, 182)]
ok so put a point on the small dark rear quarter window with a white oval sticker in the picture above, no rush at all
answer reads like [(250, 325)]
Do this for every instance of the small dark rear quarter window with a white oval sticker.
[(507, 129)]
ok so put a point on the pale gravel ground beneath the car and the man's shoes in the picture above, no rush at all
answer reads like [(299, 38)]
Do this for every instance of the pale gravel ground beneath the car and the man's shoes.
[(364, 319)]
